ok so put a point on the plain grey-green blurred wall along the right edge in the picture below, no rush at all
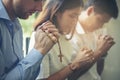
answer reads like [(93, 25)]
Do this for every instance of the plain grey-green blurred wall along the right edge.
[(112, 63)]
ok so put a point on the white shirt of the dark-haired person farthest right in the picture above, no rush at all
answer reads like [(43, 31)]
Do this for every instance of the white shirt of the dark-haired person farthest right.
[(82, 39)]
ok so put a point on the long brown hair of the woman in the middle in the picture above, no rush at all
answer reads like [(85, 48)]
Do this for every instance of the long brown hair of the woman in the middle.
[(53, 6)]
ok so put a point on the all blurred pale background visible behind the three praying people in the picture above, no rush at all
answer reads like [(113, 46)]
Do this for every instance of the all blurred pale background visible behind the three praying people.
[(112, 62)]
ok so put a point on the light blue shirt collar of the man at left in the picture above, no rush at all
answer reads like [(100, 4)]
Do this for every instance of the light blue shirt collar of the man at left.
[(3, 12)]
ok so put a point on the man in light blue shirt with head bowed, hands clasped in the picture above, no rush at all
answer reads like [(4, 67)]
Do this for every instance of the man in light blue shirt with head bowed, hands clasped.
[(13, 66)]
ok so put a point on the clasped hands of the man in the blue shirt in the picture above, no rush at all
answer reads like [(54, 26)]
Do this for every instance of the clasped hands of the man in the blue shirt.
[(45, 37)]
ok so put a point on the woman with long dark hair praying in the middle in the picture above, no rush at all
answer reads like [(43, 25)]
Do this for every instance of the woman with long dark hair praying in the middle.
[(64, 15)]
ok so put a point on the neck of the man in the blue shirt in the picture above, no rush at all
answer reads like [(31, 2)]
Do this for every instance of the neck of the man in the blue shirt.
[(9, 8)]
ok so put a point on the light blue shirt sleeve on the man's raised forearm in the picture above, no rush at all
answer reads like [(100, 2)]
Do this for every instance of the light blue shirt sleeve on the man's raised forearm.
[(28, 68)]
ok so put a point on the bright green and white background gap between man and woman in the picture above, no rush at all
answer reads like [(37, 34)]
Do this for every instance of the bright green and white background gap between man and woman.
[(27, 26)]
